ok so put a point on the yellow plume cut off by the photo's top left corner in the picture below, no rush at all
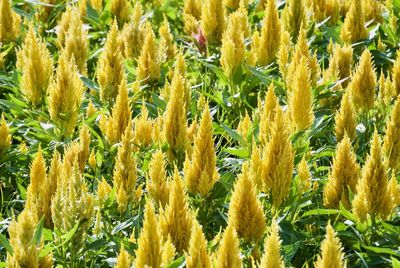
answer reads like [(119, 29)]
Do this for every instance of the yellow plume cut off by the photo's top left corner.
[(9, 21)]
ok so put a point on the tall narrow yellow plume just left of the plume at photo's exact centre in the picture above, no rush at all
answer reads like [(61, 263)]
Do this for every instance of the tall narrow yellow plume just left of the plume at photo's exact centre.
[(175, 122)]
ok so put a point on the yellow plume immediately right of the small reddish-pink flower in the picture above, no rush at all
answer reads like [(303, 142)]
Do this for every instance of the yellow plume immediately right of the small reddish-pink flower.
[(232, 48)]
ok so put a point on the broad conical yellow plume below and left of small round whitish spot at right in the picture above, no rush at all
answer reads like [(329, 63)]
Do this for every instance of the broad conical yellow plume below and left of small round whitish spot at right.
[(344, 175)]
